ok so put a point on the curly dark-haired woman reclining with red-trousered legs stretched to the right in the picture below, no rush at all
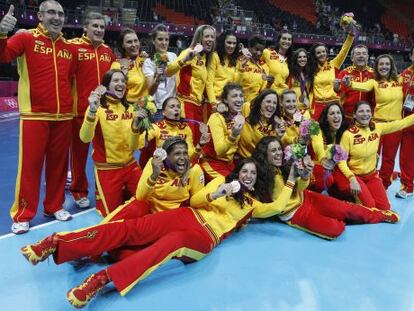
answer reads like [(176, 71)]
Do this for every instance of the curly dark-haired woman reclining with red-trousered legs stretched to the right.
[(310, 211)]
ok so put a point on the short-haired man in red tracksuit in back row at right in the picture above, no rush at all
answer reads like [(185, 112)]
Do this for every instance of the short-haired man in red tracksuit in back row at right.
[(360, 72)]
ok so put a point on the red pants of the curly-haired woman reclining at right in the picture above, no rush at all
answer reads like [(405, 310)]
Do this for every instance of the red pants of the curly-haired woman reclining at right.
[(326, 216)]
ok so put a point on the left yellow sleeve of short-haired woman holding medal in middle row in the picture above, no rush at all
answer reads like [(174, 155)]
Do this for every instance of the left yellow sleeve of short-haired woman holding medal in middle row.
[(224, 147)]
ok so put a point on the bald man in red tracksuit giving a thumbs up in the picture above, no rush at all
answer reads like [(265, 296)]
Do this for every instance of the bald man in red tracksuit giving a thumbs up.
[(46, 66)]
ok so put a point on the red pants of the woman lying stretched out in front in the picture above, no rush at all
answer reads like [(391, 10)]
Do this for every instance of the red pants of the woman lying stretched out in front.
[(171, 234)]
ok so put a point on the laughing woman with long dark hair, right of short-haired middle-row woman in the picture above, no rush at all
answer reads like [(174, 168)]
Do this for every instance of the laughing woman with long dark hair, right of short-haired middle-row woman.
[(260, 121)]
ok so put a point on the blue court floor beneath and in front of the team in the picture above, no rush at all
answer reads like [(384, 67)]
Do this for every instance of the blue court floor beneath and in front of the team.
[(266, 266)]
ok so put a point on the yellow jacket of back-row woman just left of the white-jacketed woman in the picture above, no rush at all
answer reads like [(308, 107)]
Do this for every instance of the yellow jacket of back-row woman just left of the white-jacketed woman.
[(137, 83)]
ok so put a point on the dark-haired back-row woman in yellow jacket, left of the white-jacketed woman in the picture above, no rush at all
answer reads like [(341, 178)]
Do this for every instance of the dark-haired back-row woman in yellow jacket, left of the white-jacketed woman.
[(131, 65)]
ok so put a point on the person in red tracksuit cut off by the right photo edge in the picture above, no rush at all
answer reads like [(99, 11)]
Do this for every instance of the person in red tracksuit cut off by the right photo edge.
[(407, 141)]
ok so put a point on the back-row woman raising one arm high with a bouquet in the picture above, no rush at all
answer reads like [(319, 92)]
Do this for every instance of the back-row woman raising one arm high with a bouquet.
[(322, 74)]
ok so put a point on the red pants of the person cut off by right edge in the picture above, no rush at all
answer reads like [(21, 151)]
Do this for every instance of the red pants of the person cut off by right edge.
[(406, 160)]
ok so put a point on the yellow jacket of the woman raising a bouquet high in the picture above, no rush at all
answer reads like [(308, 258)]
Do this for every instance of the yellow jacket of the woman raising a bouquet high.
[(323, 83)]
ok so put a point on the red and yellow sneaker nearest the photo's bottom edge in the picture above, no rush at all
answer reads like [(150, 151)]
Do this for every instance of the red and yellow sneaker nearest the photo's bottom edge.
[(79, 296)]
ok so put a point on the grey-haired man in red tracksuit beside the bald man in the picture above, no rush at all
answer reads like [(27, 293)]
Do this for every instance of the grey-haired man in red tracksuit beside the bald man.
[(94, 59)]
